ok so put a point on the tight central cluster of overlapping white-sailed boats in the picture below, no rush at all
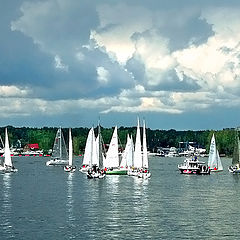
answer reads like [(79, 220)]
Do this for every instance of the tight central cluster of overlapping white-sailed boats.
[(134, 162)]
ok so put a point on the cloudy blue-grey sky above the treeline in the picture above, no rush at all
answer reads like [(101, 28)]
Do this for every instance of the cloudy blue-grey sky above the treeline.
[(68, 63)]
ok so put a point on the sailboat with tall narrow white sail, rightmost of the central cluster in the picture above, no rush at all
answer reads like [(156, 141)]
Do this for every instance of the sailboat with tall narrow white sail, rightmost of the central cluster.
[(144, 172)]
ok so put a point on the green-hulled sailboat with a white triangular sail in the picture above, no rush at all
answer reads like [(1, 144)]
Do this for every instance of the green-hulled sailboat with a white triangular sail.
[(111, 162)]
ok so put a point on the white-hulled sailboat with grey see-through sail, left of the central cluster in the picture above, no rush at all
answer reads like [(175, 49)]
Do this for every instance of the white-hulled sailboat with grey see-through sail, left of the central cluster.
[(59, 153)]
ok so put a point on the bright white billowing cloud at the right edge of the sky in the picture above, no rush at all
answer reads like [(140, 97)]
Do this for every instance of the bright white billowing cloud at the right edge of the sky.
[(215, 65)]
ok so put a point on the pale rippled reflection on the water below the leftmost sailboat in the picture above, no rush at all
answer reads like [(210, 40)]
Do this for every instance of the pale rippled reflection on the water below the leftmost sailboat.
[(6, 208)]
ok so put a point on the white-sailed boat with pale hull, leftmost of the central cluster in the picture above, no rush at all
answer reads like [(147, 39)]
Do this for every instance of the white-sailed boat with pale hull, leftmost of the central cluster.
[(90, 158)]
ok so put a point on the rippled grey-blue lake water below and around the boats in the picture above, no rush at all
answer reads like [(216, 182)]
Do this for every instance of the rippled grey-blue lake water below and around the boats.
[(42, 202)]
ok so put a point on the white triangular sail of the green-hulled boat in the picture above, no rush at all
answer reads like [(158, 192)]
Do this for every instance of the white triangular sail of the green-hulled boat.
[(112, 158)]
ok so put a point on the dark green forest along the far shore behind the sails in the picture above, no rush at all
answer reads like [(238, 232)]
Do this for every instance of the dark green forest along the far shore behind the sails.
[(155, 138)]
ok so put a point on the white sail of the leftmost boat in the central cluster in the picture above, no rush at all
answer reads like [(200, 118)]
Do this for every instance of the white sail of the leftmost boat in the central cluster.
[(90, 153)]
